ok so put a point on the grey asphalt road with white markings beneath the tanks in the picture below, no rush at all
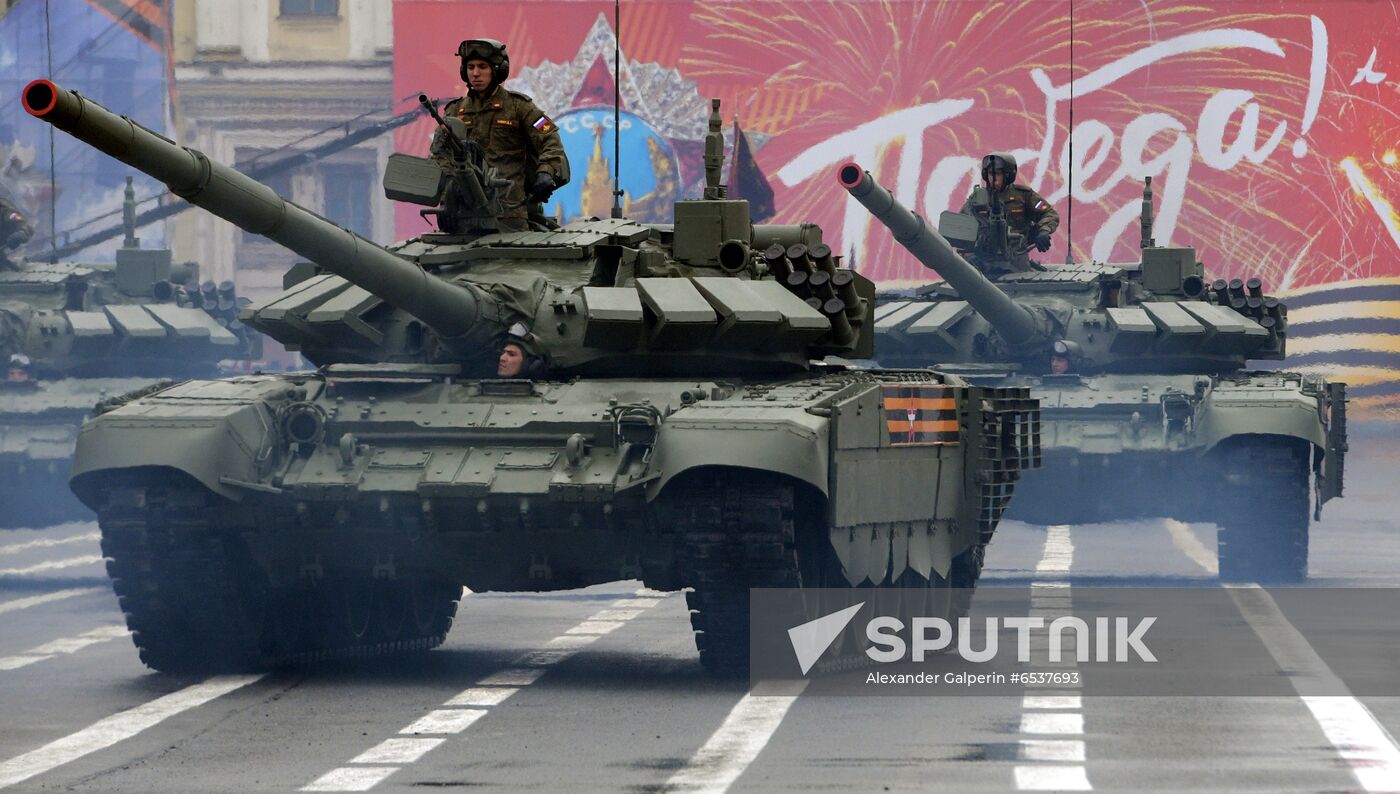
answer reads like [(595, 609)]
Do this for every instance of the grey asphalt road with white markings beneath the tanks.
[(600, 690)]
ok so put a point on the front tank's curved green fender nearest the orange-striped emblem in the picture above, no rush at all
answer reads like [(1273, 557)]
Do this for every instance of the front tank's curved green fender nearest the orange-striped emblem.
[(793, 447)]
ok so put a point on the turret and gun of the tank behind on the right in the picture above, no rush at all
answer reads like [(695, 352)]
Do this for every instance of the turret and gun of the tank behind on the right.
[(1154, 316)]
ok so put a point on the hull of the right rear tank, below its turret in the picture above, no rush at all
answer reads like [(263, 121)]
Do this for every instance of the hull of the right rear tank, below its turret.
[(1255, 453)]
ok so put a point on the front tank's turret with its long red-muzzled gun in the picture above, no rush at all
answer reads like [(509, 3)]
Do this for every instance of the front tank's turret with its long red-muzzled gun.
[(712, 293)]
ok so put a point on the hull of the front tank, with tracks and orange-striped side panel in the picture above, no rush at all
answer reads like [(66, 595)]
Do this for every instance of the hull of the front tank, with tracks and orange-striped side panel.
[(365, 485)]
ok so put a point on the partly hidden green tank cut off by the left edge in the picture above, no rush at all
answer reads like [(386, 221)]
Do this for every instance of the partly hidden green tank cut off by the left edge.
[(73, 335)]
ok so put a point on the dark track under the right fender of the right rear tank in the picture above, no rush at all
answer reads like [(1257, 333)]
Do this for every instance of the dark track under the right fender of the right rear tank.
[(1265, 516)]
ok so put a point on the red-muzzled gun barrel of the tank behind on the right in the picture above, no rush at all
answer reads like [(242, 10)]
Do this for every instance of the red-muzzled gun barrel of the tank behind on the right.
[(1014, 323)]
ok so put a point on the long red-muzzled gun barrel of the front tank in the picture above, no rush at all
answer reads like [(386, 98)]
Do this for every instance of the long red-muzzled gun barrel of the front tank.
[(250, 205)]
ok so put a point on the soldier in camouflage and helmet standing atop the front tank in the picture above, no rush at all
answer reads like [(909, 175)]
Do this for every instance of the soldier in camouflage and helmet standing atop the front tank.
[(517, 138)]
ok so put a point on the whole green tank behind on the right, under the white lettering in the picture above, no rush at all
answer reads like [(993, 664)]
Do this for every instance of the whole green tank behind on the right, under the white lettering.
[(1153, 408)]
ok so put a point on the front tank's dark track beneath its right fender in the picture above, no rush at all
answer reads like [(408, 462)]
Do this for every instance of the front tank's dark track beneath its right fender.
[(737, 533)]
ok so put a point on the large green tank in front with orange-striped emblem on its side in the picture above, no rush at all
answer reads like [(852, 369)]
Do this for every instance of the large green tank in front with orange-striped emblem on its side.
[(678, 422)]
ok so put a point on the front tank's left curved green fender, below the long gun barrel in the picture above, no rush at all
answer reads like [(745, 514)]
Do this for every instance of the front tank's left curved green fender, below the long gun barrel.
[(220, 449)]
